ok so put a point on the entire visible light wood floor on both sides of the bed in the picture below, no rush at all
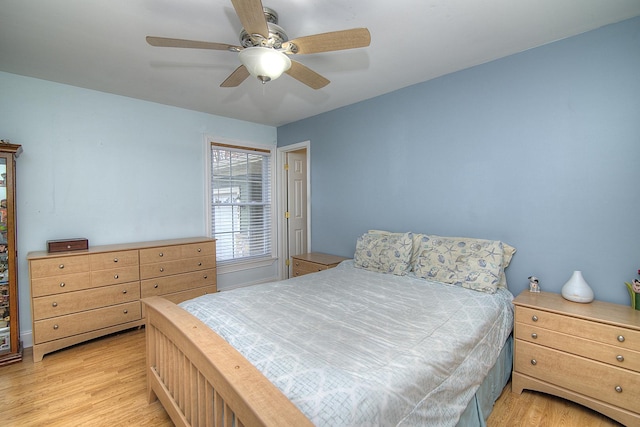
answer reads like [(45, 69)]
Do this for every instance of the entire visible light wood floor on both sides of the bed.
[(102, 383)]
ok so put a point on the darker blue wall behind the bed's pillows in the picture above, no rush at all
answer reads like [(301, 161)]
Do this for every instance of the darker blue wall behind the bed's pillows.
[(540, 149)]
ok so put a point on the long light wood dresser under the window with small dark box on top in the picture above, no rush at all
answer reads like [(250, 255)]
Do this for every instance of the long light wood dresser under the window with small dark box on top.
[(81, 295)]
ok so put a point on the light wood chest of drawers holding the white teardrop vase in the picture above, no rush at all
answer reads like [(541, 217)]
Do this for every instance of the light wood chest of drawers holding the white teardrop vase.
[(587, 353)]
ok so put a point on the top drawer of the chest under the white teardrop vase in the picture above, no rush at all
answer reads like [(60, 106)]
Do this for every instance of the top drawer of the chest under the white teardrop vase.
[(608, 334)]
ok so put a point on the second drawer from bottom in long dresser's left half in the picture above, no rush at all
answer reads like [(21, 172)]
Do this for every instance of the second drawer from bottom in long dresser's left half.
[(72, 302)]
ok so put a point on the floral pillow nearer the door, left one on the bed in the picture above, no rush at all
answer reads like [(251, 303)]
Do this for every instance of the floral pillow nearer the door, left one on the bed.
[(384, 253)]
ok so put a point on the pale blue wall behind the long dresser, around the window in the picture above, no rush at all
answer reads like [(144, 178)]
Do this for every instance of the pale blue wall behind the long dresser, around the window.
[(105, 167)]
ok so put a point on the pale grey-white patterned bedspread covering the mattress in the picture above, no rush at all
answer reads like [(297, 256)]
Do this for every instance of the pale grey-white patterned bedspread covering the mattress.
[(353, 347)]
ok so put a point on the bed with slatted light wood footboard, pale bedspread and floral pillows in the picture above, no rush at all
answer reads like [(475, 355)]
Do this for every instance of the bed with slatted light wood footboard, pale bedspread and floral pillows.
[(415, 330)]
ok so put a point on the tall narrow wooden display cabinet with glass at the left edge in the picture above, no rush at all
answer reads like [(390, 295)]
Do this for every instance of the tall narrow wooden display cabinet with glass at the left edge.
[(10, 345)]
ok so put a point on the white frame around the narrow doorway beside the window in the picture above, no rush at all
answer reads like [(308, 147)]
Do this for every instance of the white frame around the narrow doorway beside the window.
[(281, 197)]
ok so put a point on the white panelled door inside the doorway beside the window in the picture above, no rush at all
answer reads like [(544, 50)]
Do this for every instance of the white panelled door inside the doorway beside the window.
[(296, 204)]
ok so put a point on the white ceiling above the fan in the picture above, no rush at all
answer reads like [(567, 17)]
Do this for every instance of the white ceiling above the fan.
[(100, 44)]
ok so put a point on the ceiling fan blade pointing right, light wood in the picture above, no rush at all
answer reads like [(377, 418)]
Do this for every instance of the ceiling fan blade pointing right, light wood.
[(327, 42)]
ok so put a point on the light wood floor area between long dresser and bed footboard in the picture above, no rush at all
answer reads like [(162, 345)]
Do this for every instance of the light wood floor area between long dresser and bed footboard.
[(99, 383)]
